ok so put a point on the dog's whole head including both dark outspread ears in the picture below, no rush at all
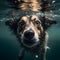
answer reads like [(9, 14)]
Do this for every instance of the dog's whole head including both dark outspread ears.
[(31, 29)]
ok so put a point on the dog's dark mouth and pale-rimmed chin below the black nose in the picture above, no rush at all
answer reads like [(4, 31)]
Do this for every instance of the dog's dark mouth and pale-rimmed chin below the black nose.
[(30, 42)]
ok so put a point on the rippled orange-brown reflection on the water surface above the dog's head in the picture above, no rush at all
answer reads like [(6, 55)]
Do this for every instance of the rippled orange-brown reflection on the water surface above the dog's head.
[(32, 5)]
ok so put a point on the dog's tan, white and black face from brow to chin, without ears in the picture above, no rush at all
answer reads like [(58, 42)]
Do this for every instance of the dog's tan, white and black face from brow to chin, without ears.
[(30, 28)]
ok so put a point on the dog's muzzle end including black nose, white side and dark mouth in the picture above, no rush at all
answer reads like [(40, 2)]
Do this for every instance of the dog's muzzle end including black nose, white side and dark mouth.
[(30, 39)]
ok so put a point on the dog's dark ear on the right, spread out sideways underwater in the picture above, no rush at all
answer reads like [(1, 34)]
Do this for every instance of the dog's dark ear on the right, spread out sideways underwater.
[(47, 22)]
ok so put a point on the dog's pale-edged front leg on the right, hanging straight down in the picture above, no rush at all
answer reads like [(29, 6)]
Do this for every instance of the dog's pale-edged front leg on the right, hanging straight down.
[(44, 45)]
